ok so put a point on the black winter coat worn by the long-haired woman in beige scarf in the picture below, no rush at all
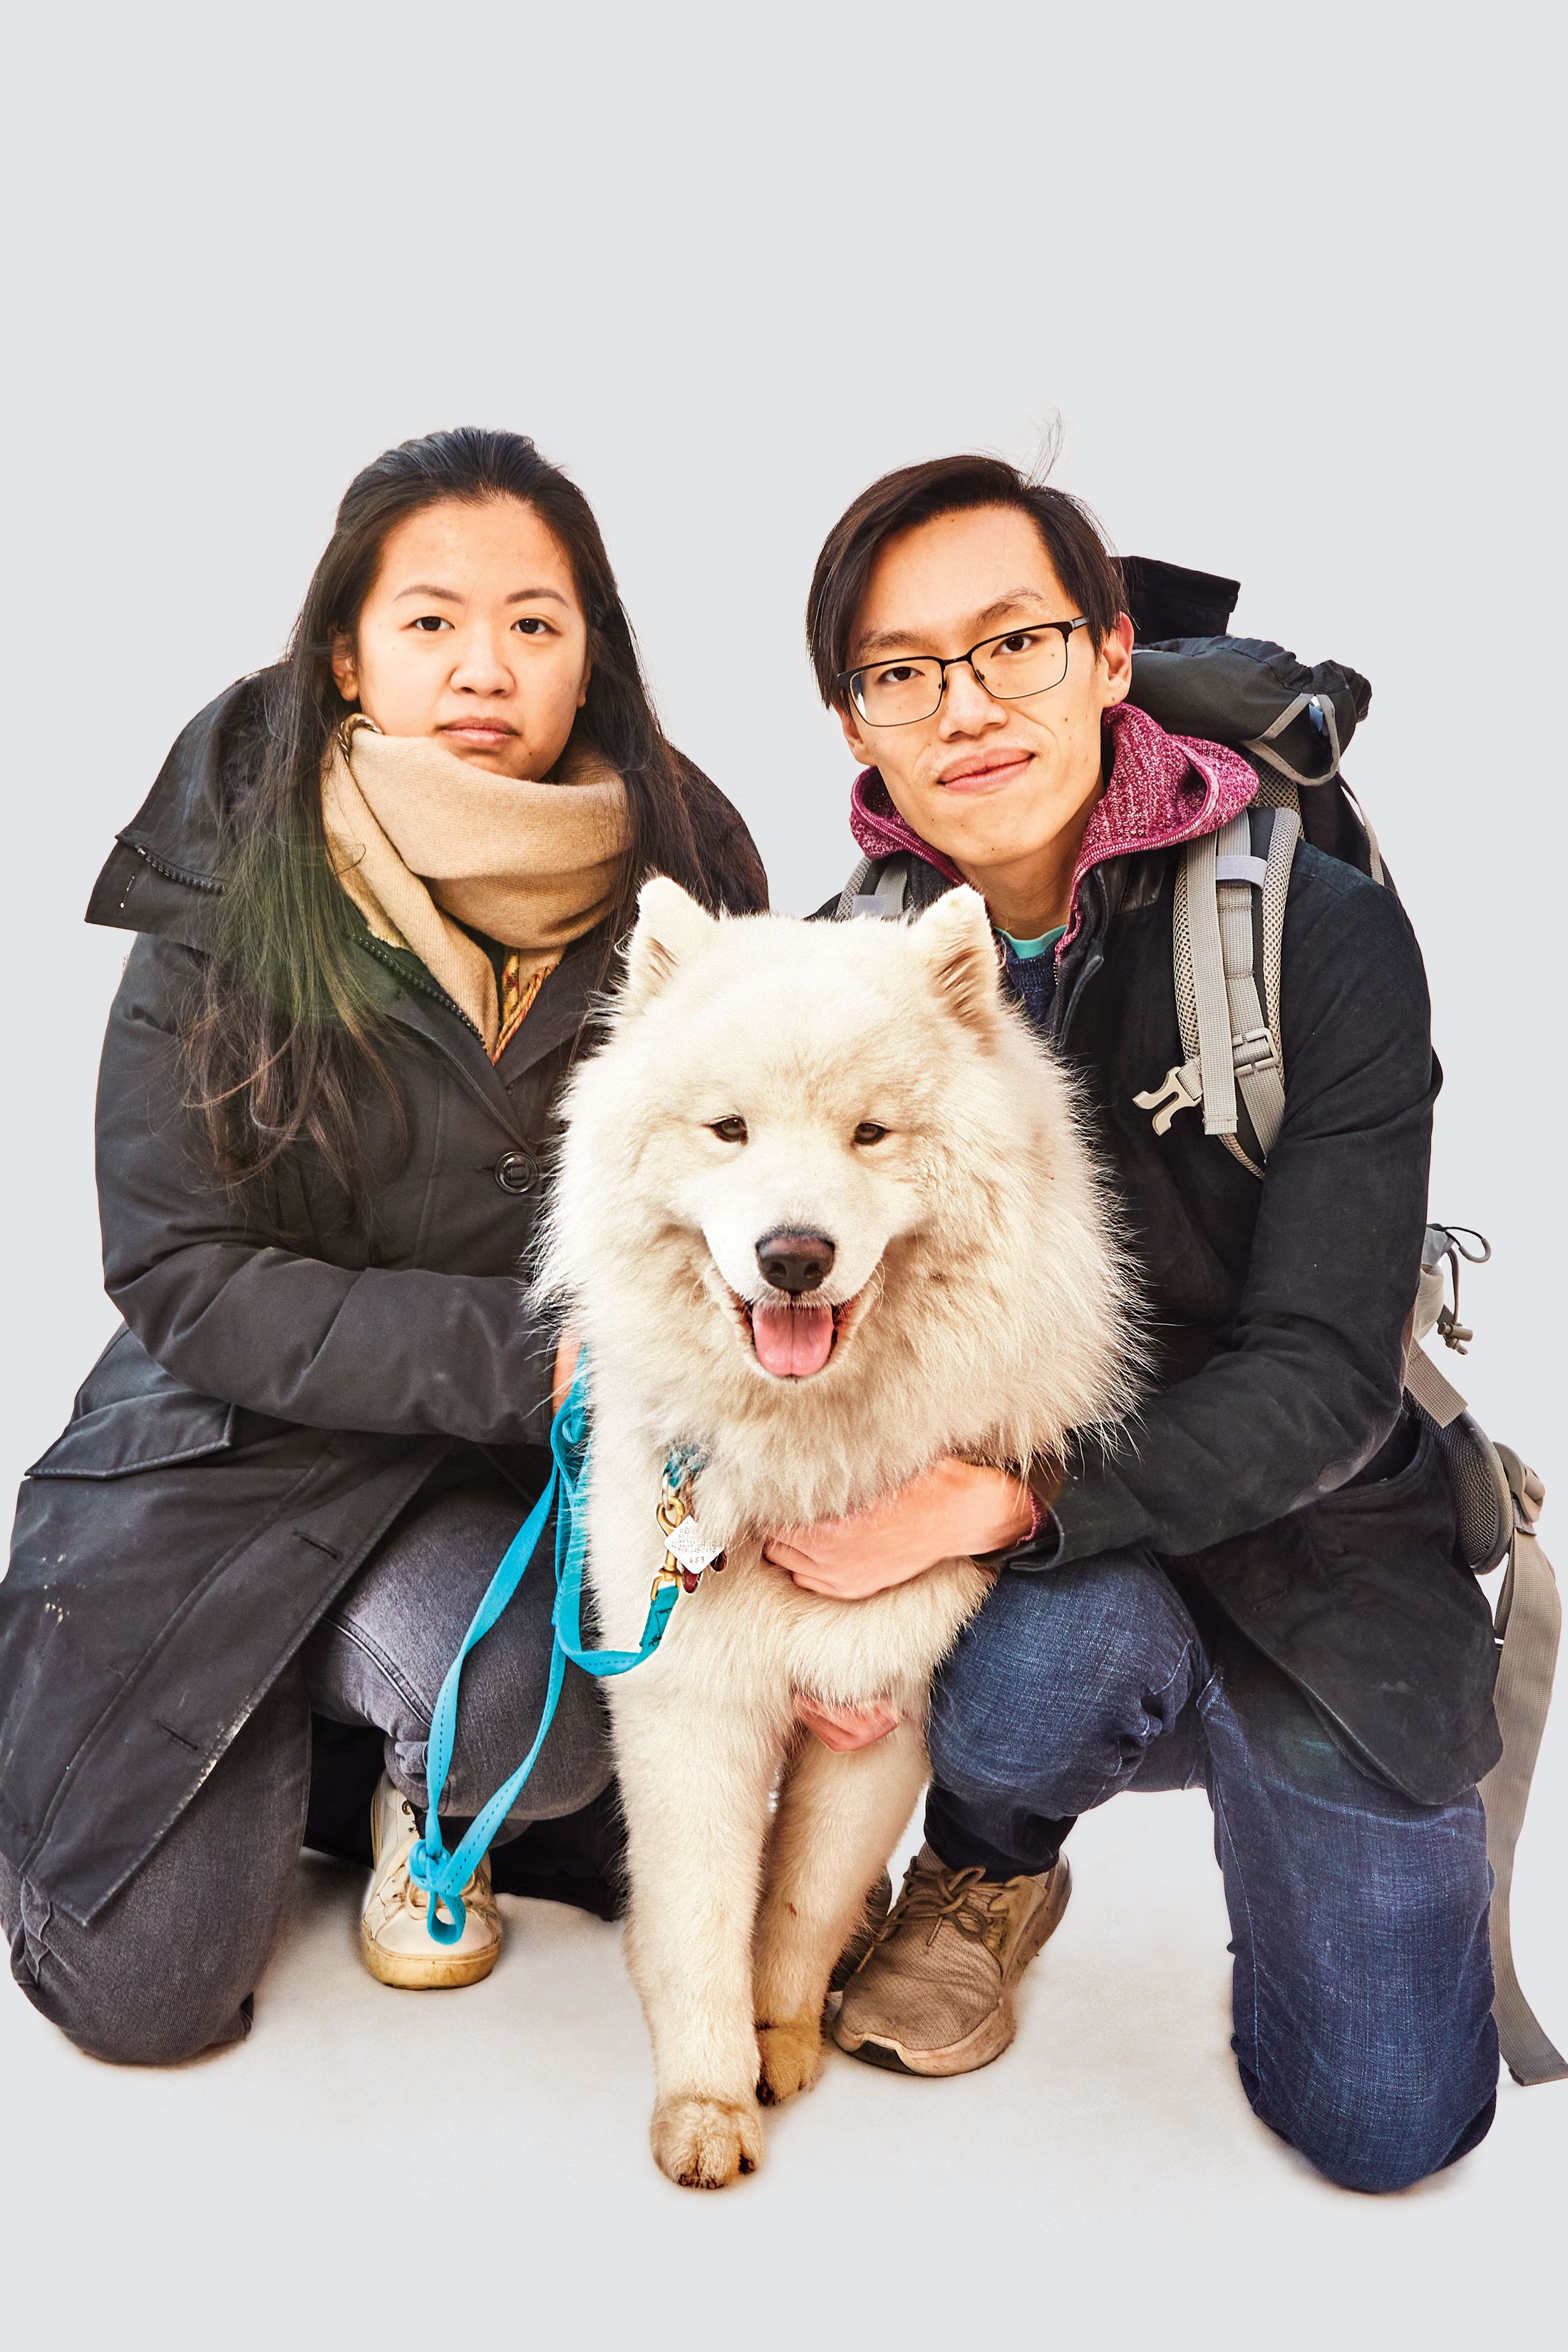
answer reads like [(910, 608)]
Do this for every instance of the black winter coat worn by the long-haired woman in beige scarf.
[(286, 1377)]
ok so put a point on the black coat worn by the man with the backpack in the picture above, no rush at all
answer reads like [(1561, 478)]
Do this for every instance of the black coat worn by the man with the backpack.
[(1280, 1314)]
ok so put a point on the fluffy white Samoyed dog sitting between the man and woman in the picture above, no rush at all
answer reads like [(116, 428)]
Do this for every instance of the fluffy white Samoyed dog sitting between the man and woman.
[(824, 1215)]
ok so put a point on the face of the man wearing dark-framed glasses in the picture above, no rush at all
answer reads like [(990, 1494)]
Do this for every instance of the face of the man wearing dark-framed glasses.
[(989, 782)]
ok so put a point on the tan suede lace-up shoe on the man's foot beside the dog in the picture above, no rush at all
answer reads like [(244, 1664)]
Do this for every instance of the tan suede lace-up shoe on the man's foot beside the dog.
[(934, 1996)]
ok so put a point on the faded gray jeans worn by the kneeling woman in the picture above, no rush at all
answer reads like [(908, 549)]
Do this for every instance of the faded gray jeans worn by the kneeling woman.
[(168, 1967)]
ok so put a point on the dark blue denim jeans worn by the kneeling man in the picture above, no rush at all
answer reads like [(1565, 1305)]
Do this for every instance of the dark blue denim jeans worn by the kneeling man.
[(1362, 1970)]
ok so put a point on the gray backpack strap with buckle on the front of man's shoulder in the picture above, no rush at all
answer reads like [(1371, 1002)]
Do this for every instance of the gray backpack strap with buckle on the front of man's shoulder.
[(1228, 980)]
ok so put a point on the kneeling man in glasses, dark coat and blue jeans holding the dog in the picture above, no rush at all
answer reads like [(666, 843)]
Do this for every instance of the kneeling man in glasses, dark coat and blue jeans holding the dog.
[(1259, 1586)]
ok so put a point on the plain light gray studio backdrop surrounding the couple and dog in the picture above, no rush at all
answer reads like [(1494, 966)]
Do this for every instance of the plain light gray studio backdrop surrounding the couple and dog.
[(1287, 281)]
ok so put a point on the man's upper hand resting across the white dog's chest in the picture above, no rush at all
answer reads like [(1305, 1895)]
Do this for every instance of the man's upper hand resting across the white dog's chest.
[(951, 1511)]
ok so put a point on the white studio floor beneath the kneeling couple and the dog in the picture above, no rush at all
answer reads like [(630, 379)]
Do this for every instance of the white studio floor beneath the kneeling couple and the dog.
[(377, 2165)]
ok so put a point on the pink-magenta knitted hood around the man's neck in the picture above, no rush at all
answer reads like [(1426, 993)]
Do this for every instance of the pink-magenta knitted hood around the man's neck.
[(1162, 789)]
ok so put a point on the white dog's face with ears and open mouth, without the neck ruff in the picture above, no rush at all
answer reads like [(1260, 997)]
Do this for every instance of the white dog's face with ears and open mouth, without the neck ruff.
[(796, 1102)]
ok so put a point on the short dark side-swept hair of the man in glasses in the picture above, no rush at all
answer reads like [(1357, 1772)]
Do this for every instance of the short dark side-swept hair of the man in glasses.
[(951, 486)]
